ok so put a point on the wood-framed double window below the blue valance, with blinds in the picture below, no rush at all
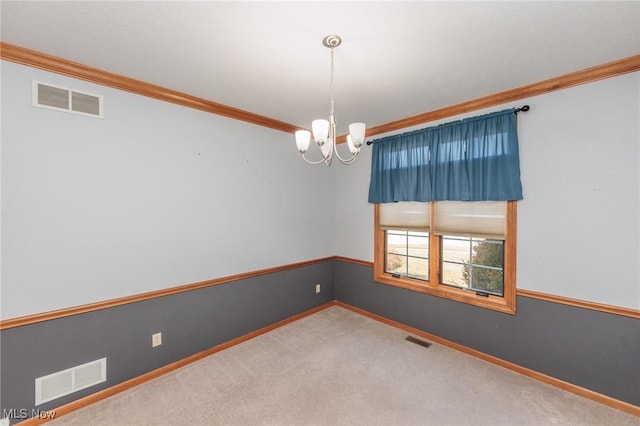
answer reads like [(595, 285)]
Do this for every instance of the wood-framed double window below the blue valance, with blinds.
[(464, 251)]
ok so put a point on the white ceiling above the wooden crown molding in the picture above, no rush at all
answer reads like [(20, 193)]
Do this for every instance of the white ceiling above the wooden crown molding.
[(397, 59)]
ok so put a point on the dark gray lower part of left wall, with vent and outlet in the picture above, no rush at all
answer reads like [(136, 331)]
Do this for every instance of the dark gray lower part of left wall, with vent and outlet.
[(190, 322)]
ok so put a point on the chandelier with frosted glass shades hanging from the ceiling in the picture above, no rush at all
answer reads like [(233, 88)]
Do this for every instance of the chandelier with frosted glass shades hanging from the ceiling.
[(324, 131)]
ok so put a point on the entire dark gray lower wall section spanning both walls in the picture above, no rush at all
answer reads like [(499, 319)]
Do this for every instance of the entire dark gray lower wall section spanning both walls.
[(592, 349)]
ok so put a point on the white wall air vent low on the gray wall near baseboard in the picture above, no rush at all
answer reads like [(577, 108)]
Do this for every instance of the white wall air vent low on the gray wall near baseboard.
[(71, 380)]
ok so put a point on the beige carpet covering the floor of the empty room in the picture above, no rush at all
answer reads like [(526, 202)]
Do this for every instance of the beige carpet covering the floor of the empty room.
[(340, 368)]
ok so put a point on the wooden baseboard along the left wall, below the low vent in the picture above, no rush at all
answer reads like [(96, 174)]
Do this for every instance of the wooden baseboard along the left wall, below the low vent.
[(121, 387)]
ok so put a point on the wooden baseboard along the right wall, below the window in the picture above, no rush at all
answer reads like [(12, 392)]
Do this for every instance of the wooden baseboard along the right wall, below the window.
[(578, 390)]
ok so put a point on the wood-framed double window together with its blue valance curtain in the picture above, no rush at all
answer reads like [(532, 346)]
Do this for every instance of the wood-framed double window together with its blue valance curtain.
[(462, 250)]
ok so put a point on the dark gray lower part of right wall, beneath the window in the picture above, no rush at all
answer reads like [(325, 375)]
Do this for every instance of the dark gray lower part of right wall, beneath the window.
[(592, 349)]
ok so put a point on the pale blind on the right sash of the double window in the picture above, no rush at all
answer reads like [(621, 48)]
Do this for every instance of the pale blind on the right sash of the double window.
[(482, 219)]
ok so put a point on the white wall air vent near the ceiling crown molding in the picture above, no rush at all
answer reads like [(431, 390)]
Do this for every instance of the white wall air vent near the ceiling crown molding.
[(46, 95)]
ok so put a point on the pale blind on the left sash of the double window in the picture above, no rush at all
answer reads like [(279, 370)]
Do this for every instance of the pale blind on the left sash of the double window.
[(407, 216)]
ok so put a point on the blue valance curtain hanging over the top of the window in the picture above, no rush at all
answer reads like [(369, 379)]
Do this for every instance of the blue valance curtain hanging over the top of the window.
[(475, 159)]
